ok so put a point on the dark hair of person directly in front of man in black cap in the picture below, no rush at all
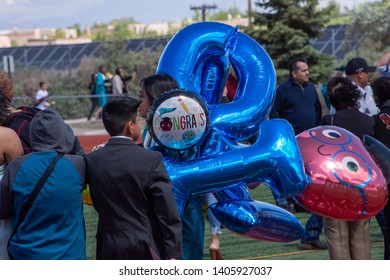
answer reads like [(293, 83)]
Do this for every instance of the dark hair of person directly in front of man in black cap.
[(343, 93)]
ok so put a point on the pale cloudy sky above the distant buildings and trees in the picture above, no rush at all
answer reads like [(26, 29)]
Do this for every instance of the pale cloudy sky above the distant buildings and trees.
[(22, 14)]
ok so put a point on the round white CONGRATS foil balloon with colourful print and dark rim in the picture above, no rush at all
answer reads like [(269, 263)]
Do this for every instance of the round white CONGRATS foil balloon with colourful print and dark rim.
[(178, 120)]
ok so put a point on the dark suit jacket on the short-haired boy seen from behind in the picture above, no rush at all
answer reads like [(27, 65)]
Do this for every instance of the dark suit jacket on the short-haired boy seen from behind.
[(132, 193)]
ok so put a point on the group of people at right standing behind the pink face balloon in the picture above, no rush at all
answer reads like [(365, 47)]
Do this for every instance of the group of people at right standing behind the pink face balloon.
[(354, 106)]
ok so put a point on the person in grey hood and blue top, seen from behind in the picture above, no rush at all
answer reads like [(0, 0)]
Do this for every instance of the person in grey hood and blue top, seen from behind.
[(53, 228)]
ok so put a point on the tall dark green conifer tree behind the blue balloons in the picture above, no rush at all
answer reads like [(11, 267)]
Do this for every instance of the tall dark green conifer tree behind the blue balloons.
[(285, 27)]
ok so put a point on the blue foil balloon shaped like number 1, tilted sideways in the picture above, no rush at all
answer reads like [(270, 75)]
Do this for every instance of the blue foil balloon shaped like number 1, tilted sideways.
[(274, 158)]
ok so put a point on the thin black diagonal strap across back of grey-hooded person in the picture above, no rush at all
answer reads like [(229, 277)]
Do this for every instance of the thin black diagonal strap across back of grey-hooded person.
[(34, 194)]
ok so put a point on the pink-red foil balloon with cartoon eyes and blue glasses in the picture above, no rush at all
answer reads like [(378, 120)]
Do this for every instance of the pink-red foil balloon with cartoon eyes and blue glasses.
[(346, 183)]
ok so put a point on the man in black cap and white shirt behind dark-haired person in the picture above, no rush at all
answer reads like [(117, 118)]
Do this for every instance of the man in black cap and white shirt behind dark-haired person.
[(357, 71)]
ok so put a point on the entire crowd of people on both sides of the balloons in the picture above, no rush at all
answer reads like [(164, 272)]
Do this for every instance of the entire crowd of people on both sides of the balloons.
[(44, 169)]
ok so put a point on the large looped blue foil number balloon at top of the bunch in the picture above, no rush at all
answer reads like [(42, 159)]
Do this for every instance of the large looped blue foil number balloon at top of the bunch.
[(209, 46)]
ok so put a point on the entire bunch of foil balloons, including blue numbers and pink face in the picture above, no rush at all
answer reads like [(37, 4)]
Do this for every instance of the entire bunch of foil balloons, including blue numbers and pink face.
[(323, 167)]
